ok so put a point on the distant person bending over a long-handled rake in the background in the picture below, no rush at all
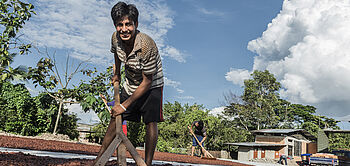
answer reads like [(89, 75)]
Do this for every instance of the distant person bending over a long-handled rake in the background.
[(201, 134)]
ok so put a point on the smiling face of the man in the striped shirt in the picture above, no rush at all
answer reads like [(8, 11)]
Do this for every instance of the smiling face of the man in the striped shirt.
[(126, 29)]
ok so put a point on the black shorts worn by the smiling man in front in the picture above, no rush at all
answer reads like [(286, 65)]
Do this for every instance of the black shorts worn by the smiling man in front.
[(149, 106)]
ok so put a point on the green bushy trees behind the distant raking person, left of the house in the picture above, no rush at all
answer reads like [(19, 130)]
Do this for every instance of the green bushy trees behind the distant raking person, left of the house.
[(174, 134)]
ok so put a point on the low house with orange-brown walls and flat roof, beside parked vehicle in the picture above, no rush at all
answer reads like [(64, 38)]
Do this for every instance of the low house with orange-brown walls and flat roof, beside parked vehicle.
[(271, 143)]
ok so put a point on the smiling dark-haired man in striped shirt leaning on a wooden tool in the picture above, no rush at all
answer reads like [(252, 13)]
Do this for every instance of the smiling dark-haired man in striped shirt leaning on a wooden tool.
[(142, 91)]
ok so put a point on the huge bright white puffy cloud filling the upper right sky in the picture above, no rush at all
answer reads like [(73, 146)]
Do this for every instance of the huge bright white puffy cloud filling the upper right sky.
[(307, 48)]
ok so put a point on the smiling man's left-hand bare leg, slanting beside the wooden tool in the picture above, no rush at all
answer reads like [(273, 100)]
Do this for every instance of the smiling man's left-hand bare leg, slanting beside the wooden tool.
[(108, 138)]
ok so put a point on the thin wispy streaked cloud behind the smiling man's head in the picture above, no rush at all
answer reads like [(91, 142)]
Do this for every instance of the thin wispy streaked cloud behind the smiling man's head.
[(85, 28)]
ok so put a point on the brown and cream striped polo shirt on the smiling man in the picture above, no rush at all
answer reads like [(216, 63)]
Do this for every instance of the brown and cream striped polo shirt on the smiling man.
[(143, 58)]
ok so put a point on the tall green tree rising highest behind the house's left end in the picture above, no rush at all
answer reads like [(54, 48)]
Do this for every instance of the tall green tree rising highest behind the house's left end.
[(256, 109)]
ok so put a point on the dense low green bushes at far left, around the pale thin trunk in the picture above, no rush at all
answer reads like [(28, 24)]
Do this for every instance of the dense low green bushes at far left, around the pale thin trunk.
[(22, 114)]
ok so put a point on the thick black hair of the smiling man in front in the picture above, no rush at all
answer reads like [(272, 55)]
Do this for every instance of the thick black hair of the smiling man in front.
[(121, 10)]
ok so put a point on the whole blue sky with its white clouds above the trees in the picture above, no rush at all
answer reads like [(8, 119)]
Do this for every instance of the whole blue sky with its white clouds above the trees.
[(209, 47)]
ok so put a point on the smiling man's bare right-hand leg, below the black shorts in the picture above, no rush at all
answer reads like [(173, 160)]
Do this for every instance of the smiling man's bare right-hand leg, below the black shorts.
[(151, 141)]
